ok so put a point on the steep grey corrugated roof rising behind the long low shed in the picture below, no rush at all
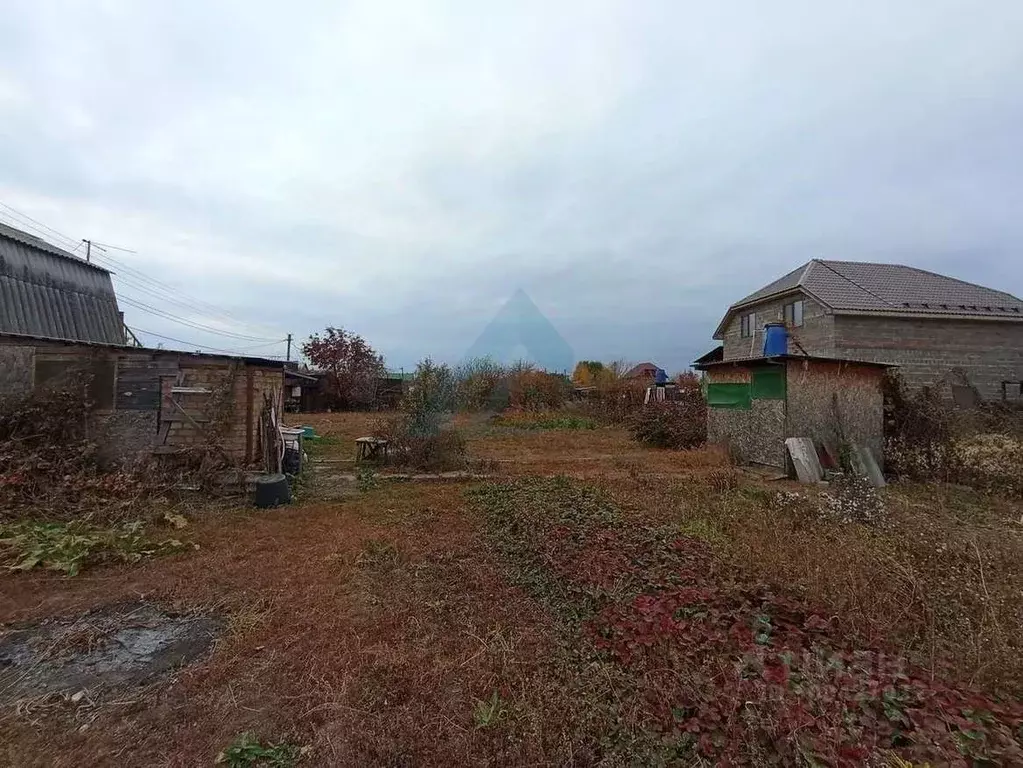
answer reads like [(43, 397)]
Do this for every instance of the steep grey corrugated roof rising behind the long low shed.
[(47, 292)]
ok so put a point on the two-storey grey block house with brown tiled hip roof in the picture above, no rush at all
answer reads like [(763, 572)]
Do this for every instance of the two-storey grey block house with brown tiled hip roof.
[(935, 329)]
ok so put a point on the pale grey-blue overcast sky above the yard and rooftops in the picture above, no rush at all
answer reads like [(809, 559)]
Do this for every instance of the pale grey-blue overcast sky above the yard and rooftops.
[(402, 168)]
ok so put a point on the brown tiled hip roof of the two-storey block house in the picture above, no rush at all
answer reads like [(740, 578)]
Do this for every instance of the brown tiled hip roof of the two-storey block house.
[(865, 288)]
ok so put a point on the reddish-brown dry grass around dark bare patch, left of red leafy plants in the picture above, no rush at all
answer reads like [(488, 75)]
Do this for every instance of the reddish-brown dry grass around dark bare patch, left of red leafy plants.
[(342, 624)]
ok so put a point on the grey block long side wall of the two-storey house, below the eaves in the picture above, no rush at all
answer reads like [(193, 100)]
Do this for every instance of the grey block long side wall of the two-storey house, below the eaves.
[(927, 349)]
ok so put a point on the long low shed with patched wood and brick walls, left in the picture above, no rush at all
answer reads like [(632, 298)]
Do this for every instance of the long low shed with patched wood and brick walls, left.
[(153, 401)]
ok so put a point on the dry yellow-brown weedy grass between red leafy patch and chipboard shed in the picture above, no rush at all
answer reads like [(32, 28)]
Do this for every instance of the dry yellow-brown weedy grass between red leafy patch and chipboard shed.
[(943, 579)]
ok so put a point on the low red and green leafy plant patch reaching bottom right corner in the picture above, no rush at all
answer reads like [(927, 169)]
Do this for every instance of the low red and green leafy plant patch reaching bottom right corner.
[(718, 667)]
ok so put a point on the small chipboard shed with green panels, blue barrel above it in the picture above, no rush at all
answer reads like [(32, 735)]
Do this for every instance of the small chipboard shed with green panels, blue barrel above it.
[(754, 404)]
